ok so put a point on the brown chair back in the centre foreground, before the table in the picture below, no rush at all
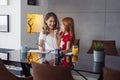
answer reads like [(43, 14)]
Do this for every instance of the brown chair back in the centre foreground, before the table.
[(48, 72)]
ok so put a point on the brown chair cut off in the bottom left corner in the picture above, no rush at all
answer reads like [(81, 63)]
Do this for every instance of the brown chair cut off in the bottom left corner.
[(6, 75)]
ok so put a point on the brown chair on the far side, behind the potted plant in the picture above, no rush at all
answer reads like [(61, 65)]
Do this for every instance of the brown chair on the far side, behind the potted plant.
[(109, 45)]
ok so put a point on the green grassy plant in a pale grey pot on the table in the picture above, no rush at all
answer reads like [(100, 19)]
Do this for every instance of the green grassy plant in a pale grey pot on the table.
[(98, 52)]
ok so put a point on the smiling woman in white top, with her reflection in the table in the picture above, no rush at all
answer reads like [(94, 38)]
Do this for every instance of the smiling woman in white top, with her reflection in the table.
[(48, 39)]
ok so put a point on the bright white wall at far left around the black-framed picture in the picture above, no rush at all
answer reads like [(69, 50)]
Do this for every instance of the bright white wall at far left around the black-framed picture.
[(11, 39)]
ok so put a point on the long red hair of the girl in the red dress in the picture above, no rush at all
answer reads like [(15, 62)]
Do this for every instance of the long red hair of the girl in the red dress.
[(68, 22)]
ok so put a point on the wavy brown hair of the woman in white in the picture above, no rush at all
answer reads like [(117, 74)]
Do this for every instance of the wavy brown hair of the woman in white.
[(45, 27)]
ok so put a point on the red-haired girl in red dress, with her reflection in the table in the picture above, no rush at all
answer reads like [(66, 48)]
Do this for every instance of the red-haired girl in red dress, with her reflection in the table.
[(67, 37)]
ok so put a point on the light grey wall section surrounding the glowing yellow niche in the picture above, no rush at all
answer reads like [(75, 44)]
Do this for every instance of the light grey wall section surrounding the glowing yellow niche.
[(30, 39)]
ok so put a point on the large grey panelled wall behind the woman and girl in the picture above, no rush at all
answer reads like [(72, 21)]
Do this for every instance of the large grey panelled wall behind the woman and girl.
[(94, 19)]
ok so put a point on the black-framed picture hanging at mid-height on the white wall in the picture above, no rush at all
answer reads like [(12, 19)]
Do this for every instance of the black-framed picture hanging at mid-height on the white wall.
[(4, 23)]
